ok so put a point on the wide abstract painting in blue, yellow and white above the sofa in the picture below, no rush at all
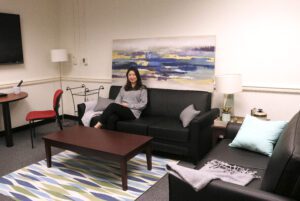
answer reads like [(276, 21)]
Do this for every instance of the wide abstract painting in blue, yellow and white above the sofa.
[(173, 63)]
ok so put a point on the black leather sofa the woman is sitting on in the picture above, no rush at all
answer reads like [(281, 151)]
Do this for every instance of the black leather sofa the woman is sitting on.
[(160, 119)]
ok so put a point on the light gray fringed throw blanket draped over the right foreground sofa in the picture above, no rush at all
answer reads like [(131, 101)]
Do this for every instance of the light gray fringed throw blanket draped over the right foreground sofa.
[(214, 169)]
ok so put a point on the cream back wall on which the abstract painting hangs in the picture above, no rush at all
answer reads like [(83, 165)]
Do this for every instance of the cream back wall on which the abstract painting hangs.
[(259, 39)]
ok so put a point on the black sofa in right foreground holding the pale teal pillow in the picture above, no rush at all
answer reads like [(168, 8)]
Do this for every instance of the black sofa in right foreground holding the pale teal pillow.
[(280, 173)]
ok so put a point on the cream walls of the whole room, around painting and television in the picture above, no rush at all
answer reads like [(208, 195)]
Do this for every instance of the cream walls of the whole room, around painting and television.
[(258, 39)]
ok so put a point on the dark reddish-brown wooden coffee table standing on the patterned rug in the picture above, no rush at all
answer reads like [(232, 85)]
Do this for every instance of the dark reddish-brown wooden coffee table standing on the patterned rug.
[(112, 145)]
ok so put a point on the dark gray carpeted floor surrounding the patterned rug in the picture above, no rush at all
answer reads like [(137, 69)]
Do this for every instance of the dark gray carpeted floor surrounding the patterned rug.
[(21, 155)]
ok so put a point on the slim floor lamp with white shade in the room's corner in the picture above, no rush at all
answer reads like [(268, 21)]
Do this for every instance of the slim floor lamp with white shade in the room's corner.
[(60, 56)]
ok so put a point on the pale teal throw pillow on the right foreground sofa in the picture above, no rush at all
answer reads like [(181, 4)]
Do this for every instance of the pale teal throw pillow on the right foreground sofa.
[(258, 135)]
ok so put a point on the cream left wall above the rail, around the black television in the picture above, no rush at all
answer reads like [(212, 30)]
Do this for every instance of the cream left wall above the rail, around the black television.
[(39, 27)]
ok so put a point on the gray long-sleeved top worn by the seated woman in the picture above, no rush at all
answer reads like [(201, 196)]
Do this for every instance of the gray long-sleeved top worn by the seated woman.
[(136, 100)]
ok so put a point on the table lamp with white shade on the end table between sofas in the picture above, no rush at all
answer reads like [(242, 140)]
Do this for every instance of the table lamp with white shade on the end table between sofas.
[(228, 84)]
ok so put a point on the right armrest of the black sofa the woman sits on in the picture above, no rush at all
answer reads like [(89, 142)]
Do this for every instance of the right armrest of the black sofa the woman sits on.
[(201, 134)]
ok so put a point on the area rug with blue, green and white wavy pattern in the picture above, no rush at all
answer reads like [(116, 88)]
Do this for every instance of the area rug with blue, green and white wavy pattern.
[(80, 178)]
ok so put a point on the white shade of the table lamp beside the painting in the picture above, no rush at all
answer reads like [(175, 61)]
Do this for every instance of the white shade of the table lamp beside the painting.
[(228, 84)]
